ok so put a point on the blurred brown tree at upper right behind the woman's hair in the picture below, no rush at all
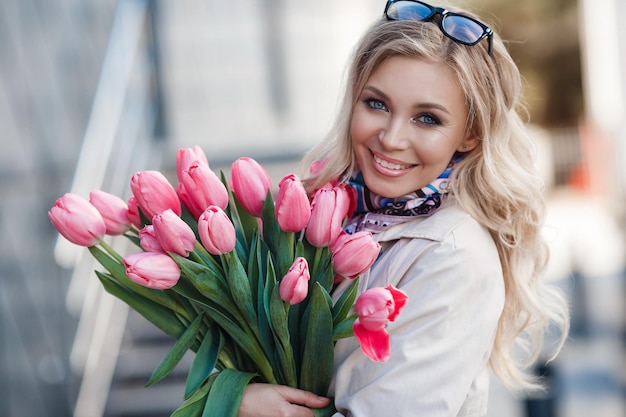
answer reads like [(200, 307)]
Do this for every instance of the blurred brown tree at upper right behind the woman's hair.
[(543, 38)]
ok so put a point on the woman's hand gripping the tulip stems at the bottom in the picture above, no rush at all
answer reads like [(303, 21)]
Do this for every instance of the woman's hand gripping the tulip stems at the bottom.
[(268, 400)]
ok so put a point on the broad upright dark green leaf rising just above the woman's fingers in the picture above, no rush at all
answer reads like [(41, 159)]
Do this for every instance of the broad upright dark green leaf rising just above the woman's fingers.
[(318, 355)]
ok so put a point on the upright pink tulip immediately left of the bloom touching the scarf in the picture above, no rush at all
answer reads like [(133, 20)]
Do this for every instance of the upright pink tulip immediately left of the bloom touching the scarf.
[(292, 208)]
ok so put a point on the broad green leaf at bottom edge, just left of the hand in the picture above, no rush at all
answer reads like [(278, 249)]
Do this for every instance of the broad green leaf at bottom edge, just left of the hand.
[(225, 396)]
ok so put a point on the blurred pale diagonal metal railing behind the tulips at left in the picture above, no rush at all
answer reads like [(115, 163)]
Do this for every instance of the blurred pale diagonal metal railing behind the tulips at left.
[(119, 140)]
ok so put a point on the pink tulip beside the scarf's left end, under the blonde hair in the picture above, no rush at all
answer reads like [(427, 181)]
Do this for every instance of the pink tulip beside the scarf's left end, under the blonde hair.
[(329, 208)]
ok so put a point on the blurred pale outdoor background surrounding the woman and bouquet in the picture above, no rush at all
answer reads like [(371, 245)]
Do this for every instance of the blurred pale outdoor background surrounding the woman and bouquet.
[(91, 92)]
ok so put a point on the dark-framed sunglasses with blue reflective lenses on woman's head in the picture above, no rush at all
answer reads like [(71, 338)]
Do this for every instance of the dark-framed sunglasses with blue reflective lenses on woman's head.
[(458, 27)]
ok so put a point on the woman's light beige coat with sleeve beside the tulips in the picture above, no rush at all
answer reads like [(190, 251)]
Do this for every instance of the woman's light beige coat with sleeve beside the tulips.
[(441, 342)]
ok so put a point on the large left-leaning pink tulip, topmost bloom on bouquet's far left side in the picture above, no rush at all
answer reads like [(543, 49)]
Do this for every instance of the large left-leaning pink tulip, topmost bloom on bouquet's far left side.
[(154, 193)]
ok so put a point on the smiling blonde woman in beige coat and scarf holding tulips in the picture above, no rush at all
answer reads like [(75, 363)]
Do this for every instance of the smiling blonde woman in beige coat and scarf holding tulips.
[(430, 139)]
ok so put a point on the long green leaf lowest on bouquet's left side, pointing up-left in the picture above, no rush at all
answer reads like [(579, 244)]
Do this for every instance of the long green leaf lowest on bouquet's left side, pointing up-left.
[(162, 318)]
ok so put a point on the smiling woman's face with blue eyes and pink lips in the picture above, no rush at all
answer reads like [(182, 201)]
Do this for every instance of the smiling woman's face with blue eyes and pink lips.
[(407, 123)]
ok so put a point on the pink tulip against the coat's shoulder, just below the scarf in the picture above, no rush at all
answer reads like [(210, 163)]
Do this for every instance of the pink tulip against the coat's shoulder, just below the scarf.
[(354, 254)]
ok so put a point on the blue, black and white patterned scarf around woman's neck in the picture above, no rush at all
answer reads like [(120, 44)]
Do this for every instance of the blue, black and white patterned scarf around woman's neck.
[(375, 213)]
